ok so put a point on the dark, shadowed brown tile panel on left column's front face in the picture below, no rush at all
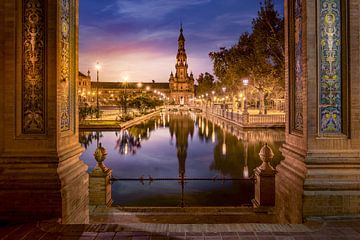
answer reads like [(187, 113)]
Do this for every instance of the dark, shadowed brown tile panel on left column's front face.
[(33, 72)]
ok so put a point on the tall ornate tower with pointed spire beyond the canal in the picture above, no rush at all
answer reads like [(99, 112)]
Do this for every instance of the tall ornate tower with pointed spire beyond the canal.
[(181, 85)]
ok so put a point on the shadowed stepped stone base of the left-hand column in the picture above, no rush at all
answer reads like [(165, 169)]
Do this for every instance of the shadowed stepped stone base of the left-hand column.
[(39, 188)]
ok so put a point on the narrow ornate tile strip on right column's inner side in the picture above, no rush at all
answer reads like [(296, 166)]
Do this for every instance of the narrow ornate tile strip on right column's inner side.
[(298, 110)]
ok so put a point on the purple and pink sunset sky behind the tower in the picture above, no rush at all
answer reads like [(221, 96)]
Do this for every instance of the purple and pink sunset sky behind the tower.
[(138, 38)]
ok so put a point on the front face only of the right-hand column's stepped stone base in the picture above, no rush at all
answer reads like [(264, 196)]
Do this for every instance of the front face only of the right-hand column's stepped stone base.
[(332, 186)]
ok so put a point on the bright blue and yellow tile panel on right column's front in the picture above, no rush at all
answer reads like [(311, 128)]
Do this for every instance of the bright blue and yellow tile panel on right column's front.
[(330, 67)]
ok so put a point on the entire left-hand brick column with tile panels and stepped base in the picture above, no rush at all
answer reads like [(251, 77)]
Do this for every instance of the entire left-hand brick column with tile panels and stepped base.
[(41, 175)]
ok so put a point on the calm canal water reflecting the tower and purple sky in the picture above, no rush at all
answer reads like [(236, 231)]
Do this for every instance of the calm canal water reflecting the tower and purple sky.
[(214, 159)]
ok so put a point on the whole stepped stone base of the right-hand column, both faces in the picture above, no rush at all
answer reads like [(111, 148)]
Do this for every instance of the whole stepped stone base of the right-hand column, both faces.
[(315, 186)]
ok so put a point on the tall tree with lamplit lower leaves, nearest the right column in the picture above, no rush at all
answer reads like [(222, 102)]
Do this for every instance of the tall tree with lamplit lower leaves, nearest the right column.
[(268, 37)]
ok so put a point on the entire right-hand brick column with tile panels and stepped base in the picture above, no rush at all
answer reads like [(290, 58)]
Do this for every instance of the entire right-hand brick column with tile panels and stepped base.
[(320, 173)]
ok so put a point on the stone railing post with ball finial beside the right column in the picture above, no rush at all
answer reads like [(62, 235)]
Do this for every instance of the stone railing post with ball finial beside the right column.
[(265, 180)]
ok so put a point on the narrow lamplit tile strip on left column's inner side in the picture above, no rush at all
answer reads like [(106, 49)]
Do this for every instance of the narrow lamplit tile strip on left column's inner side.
[(65, 66)]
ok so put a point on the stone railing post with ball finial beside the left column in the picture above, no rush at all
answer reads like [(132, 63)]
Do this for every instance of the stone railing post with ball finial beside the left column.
[(100, 180)]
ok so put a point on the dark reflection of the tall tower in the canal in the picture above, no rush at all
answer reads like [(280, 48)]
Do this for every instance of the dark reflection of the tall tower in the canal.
[(181, 125)]
